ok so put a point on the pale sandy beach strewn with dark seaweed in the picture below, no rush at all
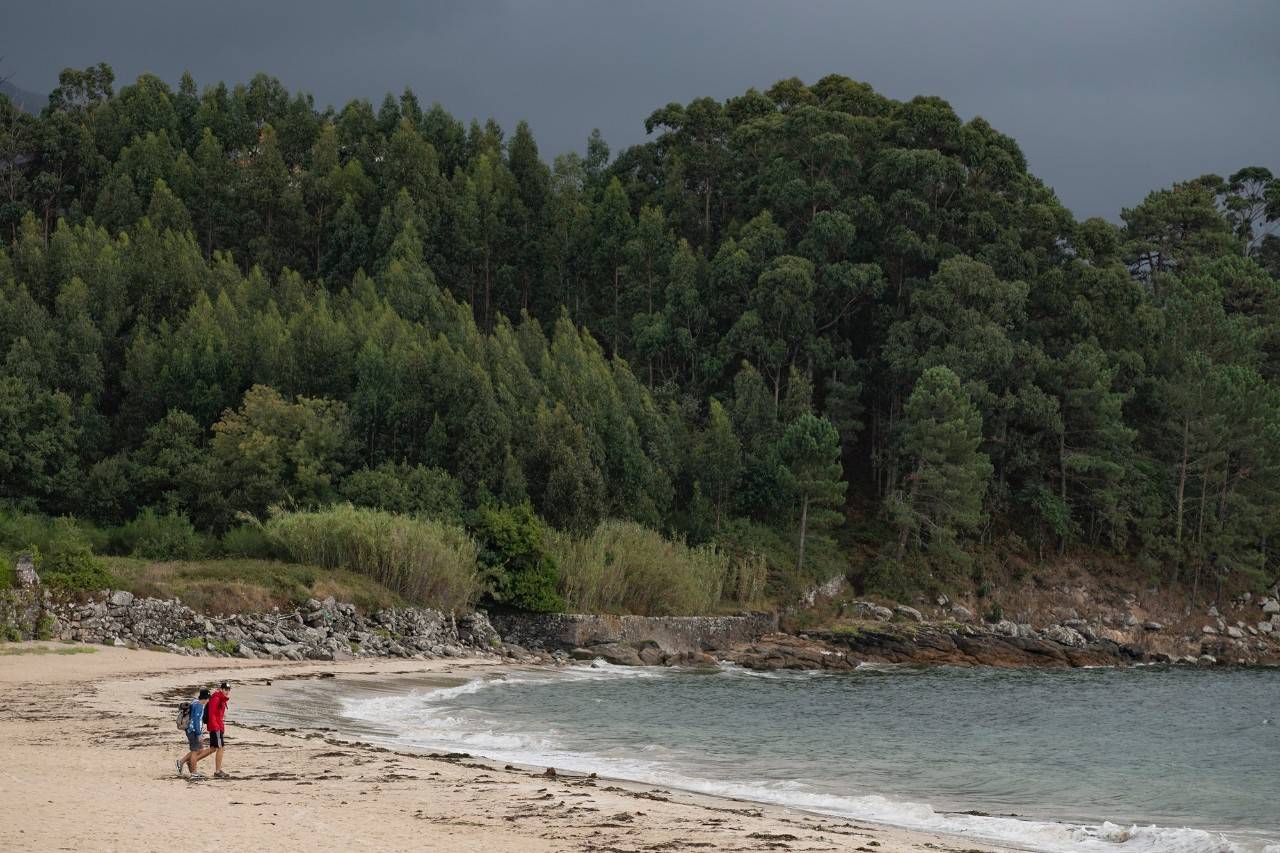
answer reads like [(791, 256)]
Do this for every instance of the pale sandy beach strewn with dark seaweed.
[(88, 749)]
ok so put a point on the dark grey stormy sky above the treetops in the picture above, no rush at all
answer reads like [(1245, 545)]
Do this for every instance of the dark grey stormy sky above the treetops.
[(1109, 99)]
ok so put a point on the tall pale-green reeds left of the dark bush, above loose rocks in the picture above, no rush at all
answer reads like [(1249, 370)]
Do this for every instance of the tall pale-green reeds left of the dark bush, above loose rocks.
[(424, 562)]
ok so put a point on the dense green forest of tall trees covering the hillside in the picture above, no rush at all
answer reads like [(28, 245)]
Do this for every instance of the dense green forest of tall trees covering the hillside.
[(810, 323)]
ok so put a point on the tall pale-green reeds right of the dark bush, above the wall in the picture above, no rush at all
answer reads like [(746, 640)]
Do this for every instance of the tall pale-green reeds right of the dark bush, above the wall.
[(627, 568)]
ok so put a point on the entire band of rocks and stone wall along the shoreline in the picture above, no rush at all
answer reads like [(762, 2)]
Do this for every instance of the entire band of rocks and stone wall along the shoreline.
[(867, 633)]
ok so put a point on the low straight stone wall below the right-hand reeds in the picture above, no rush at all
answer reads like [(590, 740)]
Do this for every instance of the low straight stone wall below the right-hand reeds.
[(673, 635)]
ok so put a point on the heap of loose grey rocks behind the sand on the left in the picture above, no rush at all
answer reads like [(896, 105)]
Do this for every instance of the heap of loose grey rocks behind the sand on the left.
[(321, 631)]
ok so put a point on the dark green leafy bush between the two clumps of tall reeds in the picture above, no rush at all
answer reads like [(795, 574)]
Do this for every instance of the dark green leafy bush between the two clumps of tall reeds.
[(519, 571)]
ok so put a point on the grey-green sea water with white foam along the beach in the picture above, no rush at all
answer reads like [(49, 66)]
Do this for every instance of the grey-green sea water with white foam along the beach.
[(1148, 760)]
